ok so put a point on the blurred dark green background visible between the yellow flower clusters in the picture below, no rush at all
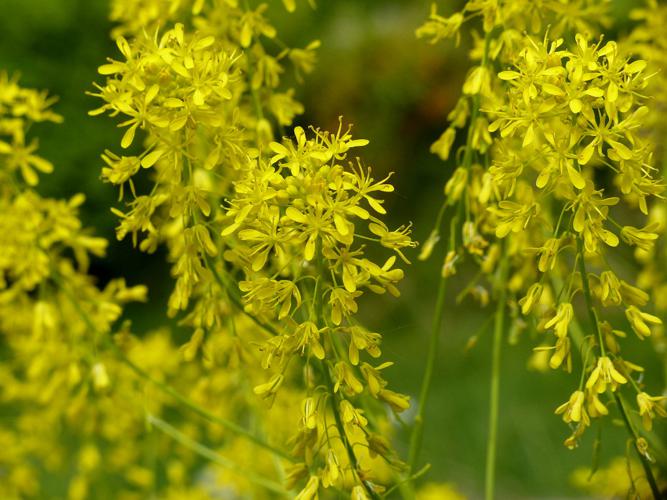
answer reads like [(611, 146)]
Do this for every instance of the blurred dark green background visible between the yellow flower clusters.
[(397, 91)]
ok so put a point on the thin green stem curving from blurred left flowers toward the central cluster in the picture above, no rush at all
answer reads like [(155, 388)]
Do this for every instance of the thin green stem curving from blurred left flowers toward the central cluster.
[(164, 387)]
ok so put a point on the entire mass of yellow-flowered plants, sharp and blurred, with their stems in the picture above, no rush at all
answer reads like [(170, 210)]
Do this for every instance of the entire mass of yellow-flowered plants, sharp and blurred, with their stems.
[(276, 232)]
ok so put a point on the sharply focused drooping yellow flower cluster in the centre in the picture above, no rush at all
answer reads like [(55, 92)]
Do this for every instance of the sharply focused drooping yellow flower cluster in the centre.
[(298, 219)]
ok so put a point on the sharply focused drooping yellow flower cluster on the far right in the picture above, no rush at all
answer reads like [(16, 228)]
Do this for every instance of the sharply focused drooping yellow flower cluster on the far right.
[(567, 111)]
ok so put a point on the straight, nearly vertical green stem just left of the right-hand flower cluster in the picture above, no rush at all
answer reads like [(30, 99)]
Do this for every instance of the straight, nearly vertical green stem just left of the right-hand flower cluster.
[(494, 393)]
